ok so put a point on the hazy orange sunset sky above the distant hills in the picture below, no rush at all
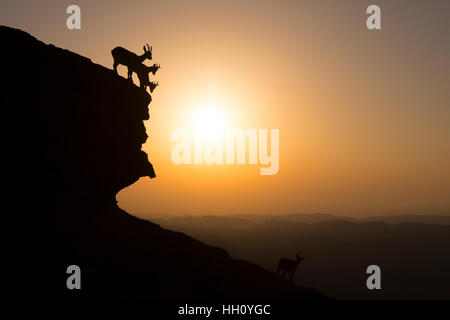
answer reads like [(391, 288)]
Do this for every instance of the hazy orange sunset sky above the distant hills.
[(364, 116)]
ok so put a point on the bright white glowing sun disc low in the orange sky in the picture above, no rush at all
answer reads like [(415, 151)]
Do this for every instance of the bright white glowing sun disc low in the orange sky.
[(209, 121)]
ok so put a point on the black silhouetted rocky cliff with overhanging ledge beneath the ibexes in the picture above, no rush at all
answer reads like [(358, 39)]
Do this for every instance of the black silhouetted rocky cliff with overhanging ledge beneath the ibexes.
[(73, 136)]
